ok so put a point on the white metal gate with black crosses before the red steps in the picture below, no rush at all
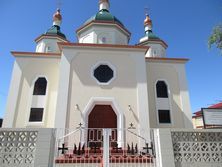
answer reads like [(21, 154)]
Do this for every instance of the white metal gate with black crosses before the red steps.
[(103, 148)]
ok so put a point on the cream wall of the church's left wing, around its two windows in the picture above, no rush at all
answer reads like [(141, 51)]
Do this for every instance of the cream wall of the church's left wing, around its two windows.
[(33, 68)]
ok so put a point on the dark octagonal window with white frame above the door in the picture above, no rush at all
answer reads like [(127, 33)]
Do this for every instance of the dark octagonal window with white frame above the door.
[(103, 73)]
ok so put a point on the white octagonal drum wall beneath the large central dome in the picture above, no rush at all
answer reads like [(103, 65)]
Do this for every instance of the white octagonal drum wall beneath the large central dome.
[(96, 33)]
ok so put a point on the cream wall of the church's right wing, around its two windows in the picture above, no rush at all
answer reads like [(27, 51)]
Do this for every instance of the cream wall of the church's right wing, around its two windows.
[(177, 97)]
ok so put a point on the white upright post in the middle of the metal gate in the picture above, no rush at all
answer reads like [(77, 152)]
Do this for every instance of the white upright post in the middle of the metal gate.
[(106, 138)]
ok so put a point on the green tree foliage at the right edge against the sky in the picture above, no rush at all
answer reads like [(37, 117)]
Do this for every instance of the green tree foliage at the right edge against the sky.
[(216, 37)]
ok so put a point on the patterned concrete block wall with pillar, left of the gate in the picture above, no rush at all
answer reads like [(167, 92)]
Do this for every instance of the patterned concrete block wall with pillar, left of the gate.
[(27, 147)]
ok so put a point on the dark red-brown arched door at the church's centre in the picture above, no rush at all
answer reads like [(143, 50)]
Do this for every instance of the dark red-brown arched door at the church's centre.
[(101, 116)]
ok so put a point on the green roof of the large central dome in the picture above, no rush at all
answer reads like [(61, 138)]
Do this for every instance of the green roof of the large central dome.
[(104, 15)]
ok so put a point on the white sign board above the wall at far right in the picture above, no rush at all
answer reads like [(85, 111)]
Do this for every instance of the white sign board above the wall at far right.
[(212, 116)]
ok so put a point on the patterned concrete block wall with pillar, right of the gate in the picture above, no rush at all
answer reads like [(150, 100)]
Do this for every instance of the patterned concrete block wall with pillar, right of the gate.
[(188, 148)]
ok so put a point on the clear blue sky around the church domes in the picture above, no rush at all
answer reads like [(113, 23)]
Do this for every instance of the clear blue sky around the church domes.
[(184, 25)]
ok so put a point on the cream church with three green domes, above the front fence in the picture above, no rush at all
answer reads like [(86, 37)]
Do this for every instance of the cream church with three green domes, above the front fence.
[(100, 81)]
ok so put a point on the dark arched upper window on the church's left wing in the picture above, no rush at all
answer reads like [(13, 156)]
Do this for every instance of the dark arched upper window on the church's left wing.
[(40, 87)]
